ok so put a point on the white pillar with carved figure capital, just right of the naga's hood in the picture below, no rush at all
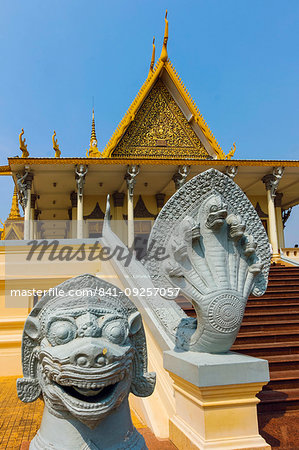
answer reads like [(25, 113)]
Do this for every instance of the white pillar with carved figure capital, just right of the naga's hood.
[(271, 182)]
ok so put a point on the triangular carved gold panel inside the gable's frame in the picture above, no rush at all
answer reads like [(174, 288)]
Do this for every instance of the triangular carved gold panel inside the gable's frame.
[(160, 130)]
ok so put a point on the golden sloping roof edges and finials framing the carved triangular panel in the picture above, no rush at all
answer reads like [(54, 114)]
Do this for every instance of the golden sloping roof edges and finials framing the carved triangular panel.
[(164, 64)]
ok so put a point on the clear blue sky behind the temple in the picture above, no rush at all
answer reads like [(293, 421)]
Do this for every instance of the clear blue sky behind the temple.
[(238, 59)]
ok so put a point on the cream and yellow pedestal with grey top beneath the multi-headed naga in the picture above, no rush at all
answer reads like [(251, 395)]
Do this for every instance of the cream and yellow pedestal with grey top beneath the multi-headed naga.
[(215, 398)]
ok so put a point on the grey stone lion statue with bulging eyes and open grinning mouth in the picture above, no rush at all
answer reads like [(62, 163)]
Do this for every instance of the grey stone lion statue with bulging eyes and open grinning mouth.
[(83, 354)]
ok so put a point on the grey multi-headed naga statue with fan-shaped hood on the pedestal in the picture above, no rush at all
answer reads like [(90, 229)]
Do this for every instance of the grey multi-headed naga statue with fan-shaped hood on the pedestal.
[(217, 254)]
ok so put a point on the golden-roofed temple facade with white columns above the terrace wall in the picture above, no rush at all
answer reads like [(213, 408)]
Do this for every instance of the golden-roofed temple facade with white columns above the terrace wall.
[(161, 142)]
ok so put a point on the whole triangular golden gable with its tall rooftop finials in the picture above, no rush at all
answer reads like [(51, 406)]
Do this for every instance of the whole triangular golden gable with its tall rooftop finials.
[(163, 120)]
